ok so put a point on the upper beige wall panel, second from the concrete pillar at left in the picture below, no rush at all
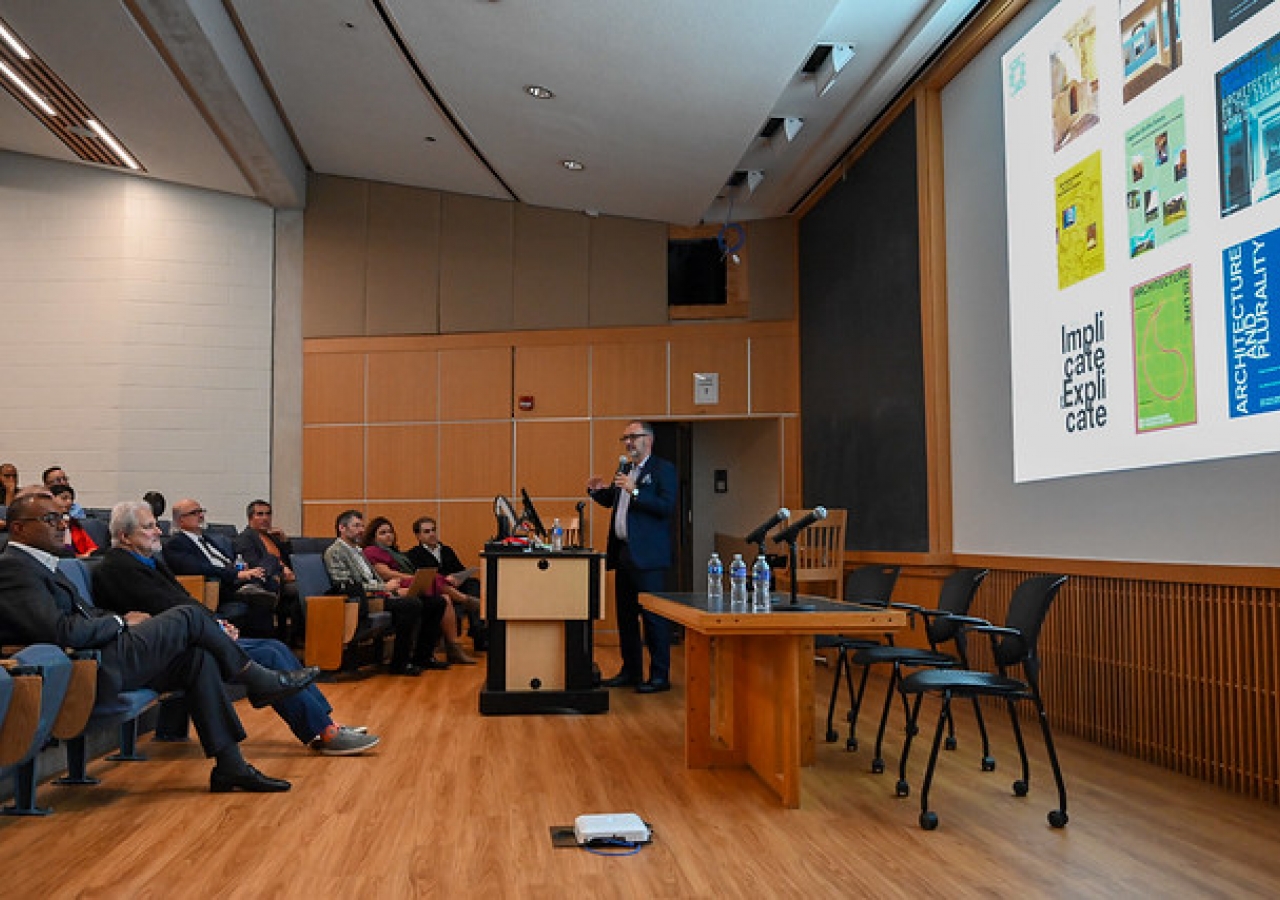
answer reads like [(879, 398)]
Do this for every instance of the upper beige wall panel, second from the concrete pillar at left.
[(403, 263)]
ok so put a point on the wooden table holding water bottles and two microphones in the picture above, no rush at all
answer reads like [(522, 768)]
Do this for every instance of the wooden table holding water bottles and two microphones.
[(749, 682)]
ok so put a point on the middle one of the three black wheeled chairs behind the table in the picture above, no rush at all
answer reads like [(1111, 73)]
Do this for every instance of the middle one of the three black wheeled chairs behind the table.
[(941, 627)]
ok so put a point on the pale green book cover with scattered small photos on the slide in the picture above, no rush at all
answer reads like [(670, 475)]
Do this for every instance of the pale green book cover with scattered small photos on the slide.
[(1156, 191)]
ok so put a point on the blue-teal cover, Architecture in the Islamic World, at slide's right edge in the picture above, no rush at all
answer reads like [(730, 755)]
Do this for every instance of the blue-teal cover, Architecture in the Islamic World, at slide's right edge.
[(1249, 127)]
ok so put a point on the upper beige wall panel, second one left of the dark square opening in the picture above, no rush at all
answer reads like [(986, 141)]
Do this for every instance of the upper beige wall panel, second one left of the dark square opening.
[(551, 263)]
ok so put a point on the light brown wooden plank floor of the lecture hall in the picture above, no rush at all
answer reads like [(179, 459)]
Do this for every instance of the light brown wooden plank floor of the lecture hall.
[(458, 806)]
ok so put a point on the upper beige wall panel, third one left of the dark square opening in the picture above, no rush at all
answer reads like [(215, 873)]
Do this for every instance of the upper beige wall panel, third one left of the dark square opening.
[(477, 239)]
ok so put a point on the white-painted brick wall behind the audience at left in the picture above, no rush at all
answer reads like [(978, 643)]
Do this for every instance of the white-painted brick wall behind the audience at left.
[(138, 321)]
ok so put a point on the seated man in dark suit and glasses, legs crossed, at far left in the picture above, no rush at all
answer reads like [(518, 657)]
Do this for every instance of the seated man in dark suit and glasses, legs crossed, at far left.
[(181, 650)]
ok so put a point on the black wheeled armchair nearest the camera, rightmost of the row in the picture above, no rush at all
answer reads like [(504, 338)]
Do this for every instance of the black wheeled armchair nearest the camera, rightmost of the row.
[(1013, 645)]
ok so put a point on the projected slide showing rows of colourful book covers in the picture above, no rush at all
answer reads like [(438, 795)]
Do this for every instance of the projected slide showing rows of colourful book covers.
[(1142, 149)]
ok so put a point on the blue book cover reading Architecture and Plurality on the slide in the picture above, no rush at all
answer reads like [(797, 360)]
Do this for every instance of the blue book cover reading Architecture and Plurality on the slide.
[(1254, 369)]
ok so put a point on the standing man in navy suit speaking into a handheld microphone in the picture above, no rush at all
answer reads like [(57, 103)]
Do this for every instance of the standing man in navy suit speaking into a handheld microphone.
[(643, 497)]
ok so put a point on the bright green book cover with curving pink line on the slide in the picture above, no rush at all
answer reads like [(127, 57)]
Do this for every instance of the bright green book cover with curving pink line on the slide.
[(1164, 353)]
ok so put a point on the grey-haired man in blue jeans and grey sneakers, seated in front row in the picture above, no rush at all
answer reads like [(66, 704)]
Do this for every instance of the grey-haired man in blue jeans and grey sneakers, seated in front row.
[(132, 578)]
